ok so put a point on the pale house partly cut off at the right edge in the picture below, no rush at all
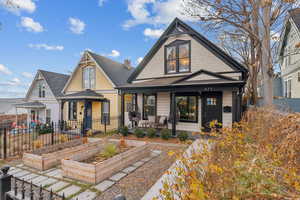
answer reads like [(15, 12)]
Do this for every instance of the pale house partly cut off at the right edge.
[(289, 55)]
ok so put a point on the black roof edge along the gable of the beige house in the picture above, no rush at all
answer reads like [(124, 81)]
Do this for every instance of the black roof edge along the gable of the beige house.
[(179, 27)]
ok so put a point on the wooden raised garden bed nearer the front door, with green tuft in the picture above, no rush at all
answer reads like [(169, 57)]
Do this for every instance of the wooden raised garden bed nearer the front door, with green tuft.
[(76, 168)]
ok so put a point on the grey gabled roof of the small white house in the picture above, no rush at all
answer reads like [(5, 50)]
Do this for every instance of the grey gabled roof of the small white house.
[(55, 81)]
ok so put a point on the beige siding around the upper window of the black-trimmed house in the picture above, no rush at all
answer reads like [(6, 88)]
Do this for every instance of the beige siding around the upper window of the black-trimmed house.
[(201, 58)]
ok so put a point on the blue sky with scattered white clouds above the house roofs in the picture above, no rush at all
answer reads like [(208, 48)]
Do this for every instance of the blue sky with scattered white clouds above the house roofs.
[(52, 34)]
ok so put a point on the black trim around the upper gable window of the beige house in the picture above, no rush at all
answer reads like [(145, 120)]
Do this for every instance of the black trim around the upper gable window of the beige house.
[(177, 43)]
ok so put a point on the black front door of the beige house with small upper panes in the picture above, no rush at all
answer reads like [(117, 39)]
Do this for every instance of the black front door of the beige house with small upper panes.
[(211, 108)]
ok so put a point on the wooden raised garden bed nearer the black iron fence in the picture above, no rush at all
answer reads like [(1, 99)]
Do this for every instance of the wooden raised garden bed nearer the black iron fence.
[(50, 156)]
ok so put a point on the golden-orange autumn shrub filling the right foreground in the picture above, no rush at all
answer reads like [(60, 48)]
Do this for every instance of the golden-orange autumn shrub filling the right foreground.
[(258, 158)]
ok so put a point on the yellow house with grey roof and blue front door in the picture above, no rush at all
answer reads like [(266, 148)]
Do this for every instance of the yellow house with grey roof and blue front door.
[(89, 96)]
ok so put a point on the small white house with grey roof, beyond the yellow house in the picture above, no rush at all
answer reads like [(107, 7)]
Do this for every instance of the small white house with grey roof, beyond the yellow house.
[(41, 99)]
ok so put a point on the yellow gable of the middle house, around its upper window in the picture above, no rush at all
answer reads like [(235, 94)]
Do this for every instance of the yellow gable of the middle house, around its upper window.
[(75, 83)]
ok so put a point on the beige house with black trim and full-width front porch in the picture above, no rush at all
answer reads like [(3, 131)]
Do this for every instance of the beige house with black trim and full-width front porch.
[(185, 81)]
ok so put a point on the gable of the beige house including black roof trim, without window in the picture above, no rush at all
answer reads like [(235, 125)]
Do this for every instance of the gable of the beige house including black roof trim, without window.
[(204, 54)]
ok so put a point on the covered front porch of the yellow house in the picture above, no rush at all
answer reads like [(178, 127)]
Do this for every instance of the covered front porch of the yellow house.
[(86, 110)]
